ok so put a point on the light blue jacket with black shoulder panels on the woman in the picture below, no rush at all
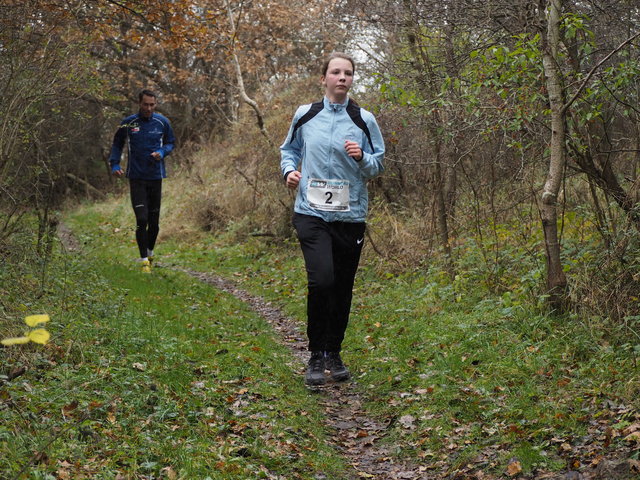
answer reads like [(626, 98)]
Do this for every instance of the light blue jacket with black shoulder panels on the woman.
[(318, 147)]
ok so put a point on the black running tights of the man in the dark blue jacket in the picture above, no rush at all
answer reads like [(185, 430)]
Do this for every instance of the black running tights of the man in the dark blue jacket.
[(145, 199)]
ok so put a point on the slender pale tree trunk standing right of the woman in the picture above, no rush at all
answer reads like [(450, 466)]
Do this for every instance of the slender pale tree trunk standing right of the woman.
[(556, 280)]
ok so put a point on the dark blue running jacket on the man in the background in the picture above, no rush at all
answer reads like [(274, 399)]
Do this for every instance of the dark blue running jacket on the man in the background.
[(144, 136)]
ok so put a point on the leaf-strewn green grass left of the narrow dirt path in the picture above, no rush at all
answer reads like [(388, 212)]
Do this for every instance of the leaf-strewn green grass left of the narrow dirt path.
[(151, 376)]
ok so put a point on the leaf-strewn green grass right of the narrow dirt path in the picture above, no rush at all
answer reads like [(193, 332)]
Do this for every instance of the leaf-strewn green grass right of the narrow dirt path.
[(484, 379)]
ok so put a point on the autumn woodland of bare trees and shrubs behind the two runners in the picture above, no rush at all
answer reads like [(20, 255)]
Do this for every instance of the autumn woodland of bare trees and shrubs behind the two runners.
[(512, 132)]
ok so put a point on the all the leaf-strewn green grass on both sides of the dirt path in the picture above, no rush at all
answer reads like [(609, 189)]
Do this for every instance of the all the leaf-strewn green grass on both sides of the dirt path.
[(161, 375)]
